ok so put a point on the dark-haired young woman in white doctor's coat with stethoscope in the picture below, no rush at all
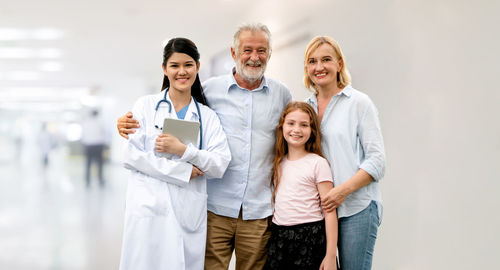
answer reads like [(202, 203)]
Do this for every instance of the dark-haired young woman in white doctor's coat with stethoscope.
[(166, 207)]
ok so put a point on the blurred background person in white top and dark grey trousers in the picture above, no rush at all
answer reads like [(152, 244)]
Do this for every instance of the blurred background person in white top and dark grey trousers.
[(94, 142)]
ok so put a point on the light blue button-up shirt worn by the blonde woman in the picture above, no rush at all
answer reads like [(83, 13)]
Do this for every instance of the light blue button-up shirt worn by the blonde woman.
[(352, 140)]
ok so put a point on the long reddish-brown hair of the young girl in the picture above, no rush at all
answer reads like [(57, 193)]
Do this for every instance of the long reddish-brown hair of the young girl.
[(313, 145)]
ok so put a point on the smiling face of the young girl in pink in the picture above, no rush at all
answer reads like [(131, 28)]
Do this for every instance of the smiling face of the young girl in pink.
[(297, 129)]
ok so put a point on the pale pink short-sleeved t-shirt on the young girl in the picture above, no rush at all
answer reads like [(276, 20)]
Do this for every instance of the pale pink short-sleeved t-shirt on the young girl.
[(297, 198)]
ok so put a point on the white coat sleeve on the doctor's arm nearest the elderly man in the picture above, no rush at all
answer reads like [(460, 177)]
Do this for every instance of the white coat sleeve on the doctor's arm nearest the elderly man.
[(215, 156)]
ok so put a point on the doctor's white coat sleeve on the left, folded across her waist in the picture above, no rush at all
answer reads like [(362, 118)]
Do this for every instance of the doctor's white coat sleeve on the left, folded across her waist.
[(136, 157)]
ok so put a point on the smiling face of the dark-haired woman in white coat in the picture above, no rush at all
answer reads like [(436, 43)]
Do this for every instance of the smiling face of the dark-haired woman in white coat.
[(181, 70)]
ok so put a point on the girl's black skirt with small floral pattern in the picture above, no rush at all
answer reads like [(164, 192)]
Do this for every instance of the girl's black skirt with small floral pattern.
[(300, 246)]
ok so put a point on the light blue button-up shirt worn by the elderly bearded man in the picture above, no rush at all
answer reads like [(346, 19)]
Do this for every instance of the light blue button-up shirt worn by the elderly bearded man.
[(249, 119)]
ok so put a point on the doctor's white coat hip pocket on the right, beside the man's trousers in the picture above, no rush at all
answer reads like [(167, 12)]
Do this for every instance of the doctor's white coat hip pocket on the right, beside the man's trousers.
[(189, 207)]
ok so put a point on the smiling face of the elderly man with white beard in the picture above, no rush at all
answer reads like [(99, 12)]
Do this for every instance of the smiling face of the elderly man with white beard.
[(251, 55)]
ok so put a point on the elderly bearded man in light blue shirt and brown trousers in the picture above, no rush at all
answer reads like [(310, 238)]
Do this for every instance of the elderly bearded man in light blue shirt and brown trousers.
[(249, 106)]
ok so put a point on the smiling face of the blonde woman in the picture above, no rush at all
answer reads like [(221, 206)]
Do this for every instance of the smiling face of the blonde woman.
[(323, 66)]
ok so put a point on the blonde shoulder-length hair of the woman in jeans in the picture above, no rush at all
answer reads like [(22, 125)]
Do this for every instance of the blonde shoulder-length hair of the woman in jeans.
[(343, 77)]
